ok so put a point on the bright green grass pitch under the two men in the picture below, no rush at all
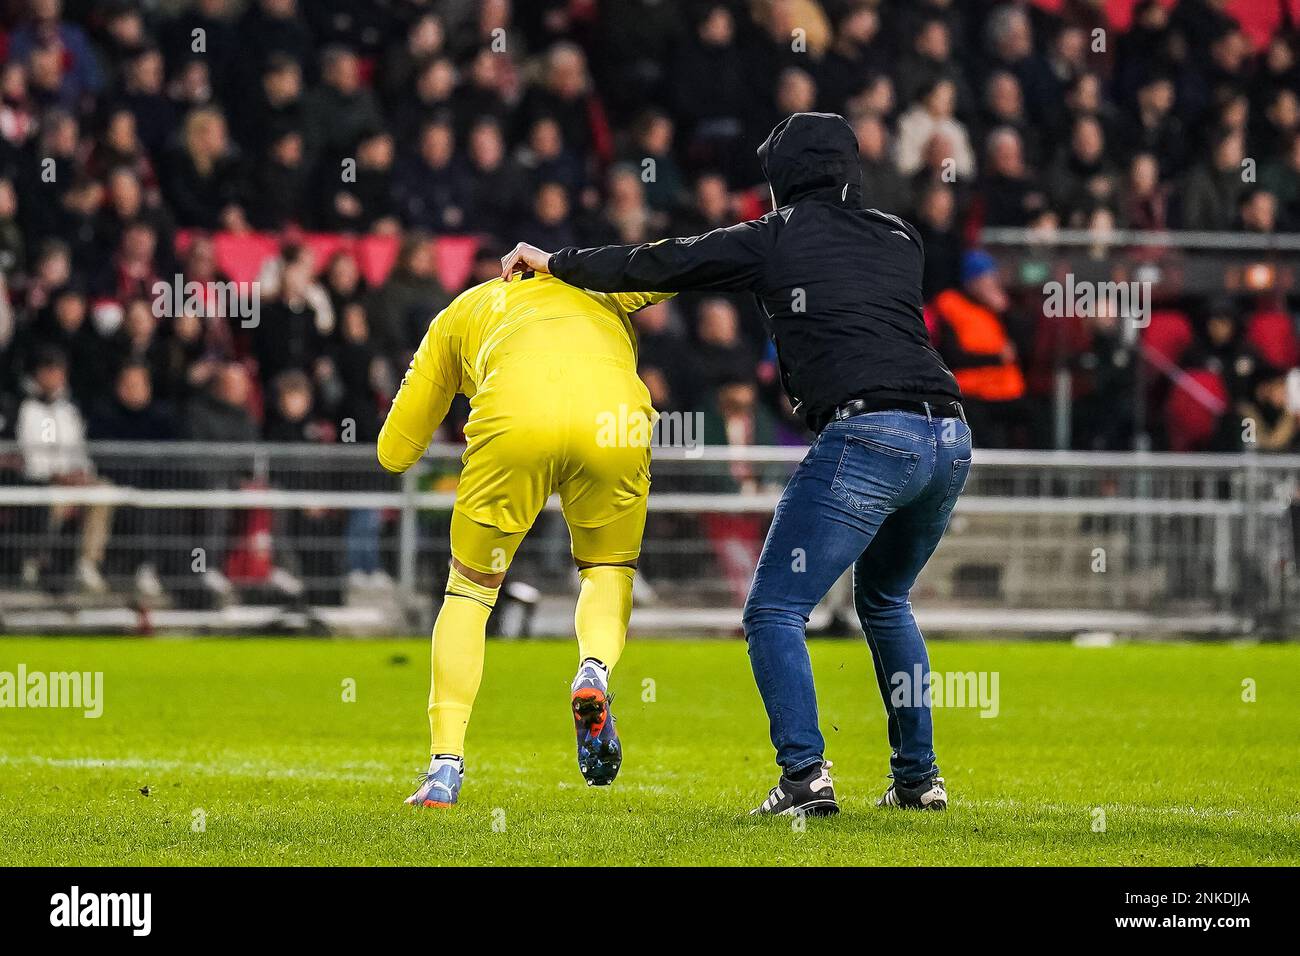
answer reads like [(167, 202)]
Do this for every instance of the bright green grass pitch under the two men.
[(244, 752)]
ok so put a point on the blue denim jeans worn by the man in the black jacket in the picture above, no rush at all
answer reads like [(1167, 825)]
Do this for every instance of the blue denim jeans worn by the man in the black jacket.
[(874, 492)]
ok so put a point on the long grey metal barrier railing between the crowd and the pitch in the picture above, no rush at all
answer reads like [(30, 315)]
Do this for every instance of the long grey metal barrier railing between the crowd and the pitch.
[(185, 535)]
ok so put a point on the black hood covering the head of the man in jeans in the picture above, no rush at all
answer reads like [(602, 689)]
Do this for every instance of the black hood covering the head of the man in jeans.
[(809, 154)]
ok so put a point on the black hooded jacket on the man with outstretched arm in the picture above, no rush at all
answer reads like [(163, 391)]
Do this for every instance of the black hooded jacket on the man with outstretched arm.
[(839, 285)]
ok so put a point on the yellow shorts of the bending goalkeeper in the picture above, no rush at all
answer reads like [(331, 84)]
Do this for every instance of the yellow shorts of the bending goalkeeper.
[(547, 422)]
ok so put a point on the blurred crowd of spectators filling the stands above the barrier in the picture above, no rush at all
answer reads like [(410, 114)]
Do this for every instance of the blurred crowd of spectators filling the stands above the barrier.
[(146, 141)]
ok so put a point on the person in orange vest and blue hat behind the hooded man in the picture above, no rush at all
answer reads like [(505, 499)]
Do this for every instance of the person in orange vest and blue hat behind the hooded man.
[(972, 335)]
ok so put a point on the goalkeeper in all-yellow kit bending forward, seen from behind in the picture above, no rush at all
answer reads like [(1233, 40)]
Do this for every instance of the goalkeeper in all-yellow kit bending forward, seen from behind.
[(545, 367)]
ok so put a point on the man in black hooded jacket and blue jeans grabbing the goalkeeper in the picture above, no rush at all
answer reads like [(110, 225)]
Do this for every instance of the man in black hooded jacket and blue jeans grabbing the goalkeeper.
[(840, 288)]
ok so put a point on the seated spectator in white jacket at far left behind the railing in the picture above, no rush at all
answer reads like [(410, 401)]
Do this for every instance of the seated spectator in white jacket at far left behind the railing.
[(51, 436)]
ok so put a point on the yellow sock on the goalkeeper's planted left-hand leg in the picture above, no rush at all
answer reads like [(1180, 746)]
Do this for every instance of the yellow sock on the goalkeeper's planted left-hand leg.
[(458, 661)]
